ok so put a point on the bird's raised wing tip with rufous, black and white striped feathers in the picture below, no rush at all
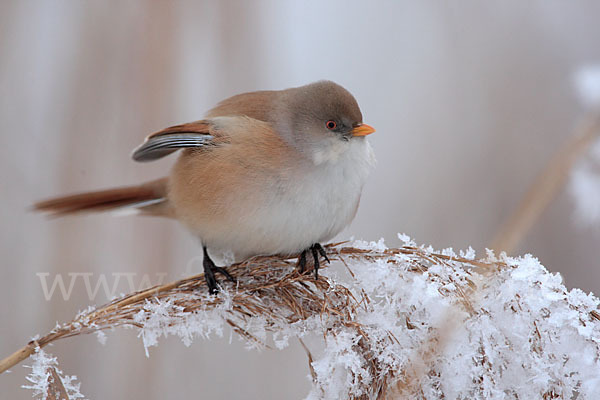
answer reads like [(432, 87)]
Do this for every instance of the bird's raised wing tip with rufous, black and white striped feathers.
[(165, 142)]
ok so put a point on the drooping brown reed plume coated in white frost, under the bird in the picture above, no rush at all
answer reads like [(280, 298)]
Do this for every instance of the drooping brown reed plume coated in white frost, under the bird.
[(403, 323)]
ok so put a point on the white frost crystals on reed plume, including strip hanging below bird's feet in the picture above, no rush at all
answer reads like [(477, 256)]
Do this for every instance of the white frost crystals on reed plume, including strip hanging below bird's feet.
[(426, 332)]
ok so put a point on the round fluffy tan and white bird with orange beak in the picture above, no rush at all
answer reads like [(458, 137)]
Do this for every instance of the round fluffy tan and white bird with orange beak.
[(266, 172)]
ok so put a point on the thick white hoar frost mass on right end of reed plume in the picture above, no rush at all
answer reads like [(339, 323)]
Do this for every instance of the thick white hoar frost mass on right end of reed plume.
[(522, 335)]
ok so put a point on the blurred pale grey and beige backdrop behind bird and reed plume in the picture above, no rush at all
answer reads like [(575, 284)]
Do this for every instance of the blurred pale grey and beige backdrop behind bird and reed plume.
[(470, 100)]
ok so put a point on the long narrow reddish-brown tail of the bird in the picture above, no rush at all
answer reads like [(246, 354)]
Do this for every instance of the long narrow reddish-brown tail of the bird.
[(148, 198)]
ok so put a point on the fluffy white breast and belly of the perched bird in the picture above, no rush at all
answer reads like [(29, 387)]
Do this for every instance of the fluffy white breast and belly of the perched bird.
[(312, 208)]
